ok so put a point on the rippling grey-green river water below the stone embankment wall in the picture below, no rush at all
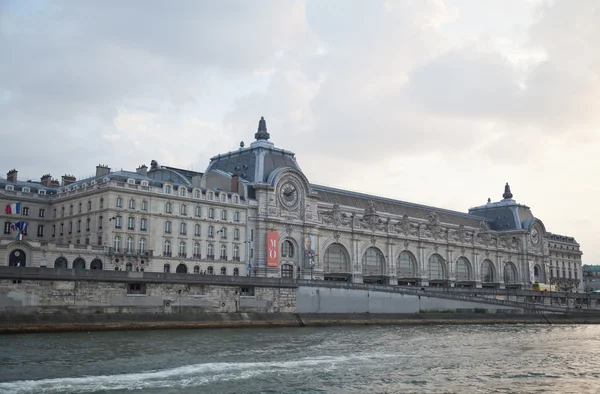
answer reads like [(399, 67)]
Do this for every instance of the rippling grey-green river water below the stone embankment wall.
[(363, 359)]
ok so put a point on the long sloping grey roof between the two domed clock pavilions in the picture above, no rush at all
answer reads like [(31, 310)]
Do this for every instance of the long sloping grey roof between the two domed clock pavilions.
[(396, 207)]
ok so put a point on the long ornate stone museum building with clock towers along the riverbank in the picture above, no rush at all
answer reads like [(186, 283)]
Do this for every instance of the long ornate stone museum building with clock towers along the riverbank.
[(254, 212)]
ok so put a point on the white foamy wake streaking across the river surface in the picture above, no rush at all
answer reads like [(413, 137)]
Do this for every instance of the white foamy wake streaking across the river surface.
[(180, 377)]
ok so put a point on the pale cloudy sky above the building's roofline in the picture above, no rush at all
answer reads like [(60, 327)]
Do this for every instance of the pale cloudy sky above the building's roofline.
[(437, 102)]
